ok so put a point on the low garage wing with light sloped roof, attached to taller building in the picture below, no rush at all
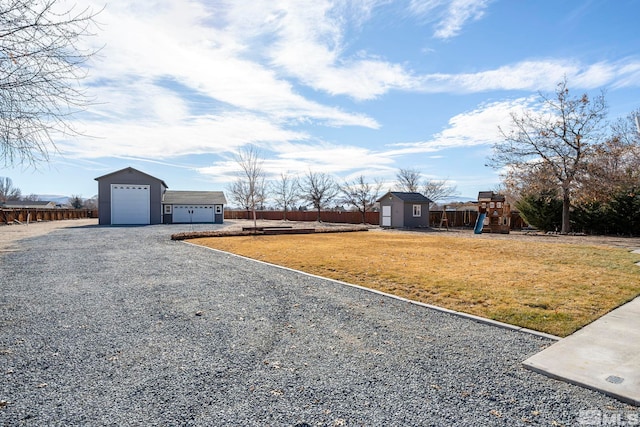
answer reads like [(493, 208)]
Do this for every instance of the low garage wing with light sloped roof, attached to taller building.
[(193, 207)]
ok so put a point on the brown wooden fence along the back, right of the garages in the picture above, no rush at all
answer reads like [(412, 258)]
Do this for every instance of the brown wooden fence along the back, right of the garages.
[(455, 219)]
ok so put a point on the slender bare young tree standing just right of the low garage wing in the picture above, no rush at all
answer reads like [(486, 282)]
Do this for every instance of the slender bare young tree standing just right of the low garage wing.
[(250, 188)]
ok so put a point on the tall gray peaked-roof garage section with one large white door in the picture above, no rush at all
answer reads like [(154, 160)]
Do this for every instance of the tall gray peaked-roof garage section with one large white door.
[(129, 196)]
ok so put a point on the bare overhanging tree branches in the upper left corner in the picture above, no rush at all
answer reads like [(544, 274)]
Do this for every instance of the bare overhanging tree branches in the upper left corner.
[(41, 65)]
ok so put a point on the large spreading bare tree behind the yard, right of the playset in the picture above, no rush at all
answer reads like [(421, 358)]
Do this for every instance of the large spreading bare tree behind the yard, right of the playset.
[(560, 137)]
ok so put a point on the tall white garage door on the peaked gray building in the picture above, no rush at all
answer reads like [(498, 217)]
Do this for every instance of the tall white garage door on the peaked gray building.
[(130, 204)]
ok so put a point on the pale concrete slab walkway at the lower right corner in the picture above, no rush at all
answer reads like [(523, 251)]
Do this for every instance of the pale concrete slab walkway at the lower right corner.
[(602, 356)]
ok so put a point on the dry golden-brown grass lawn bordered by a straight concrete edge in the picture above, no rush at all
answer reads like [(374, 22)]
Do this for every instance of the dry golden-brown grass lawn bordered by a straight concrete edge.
[(549, 287)]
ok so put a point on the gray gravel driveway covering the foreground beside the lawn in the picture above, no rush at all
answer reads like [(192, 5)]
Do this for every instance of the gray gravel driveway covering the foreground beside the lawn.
[(122, 326)]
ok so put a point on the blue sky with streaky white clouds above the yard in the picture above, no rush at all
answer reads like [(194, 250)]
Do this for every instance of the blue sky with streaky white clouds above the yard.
[(349, 88)]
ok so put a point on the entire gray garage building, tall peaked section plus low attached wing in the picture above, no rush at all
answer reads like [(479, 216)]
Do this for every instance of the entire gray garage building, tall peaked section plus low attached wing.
[(130, 197)]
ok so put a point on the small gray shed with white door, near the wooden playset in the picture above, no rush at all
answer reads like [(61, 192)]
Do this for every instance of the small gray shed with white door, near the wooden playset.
[(404, 210)]
